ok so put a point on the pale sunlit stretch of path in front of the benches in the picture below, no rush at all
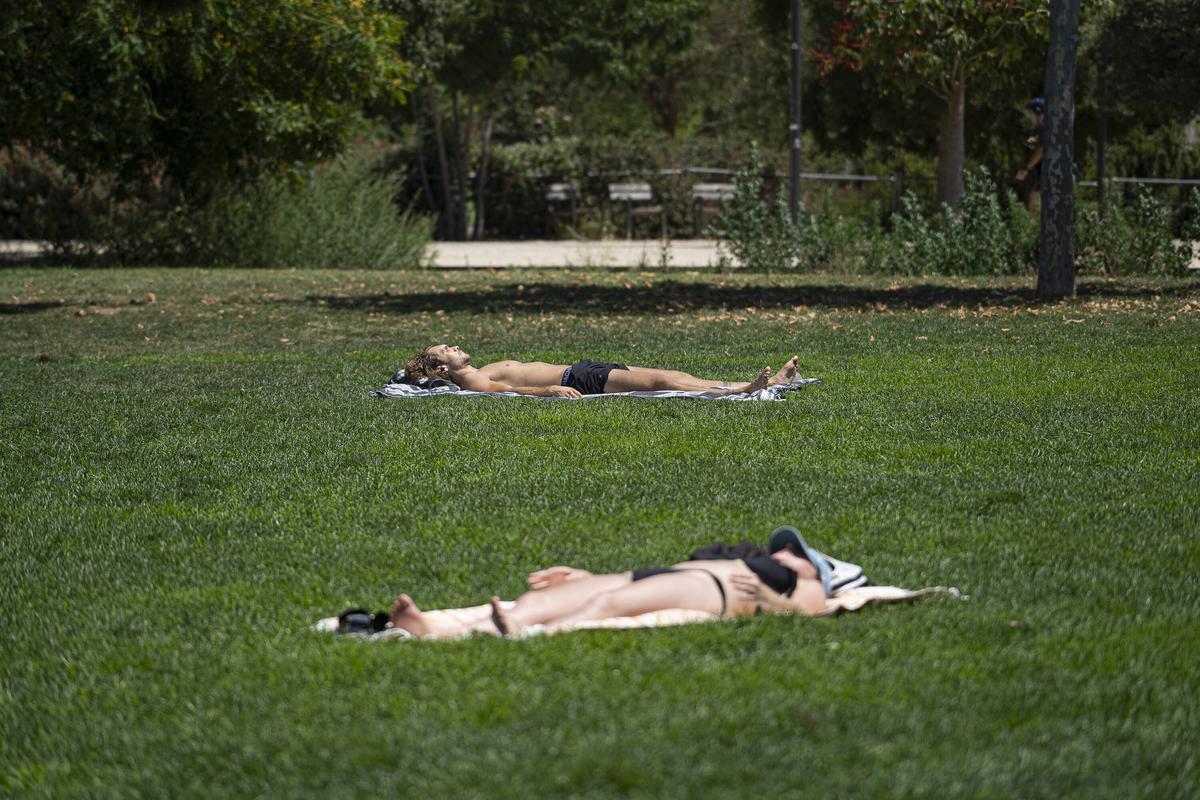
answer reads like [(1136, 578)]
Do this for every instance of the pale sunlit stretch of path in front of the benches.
[(613, 254)]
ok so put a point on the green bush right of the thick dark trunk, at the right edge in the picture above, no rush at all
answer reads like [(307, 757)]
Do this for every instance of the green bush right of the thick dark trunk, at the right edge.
[(1138, 240)]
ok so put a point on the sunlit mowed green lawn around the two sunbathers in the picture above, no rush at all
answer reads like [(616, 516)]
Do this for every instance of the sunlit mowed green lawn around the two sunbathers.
[(189, 480)]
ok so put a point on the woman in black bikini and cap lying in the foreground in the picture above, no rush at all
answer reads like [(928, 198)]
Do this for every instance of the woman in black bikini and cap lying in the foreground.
[(788, 579)]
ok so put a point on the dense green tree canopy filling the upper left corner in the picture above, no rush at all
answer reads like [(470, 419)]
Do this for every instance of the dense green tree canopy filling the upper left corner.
[(195, 91)]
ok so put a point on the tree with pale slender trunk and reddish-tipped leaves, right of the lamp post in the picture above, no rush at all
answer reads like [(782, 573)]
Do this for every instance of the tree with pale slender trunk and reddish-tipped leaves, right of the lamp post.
[(940, 49)]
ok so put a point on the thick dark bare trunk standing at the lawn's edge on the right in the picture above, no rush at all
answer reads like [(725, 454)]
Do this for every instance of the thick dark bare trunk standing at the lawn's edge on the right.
[(1057, 272)]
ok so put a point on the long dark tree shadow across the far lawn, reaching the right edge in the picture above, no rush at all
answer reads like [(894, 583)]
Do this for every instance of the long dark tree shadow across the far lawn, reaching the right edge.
[(674, 297)]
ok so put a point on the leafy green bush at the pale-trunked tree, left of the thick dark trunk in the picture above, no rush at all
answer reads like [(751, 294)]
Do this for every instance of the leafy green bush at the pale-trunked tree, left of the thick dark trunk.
[(982, 239)]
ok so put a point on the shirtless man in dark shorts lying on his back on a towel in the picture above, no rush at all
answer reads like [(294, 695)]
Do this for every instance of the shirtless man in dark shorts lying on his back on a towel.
[(585, 377)]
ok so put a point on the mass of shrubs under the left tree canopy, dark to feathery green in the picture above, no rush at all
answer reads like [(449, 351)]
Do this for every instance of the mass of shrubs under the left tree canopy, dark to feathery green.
[(343, 215)]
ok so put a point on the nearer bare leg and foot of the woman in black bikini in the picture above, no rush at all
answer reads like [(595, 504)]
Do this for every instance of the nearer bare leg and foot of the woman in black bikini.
[(695, 591)]
